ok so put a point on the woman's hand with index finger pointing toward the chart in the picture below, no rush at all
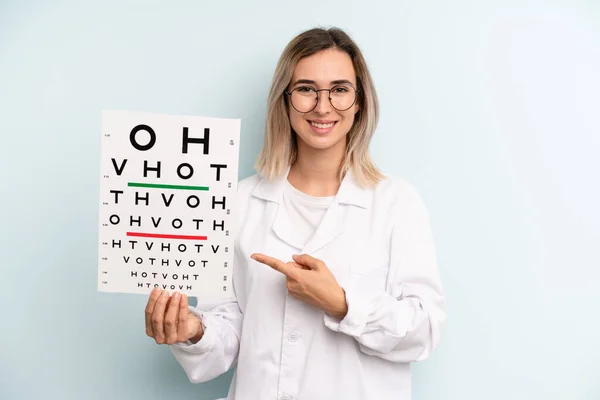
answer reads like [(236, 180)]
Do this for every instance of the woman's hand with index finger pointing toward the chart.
[(311, 281)]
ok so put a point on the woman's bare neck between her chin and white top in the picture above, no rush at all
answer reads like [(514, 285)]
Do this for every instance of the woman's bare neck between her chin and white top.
[(316, 172)]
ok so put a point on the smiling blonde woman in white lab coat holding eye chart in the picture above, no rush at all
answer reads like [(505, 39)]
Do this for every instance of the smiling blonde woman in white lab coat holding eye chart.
[(335, 276)]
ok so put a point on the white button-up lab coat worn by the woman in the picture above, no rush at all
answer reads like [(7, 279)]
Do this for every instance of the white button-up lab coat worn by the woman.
[(378, 244)]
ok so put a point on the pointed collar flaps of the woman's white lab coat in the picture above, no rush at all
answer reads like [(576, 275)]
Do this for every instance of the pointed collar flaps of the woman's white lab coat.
[(350, 192)]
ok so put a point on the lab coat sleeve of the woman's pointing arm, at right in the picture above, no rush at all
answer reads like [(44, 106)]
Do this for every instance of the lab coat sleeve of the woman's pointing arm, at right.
[(404, 322)]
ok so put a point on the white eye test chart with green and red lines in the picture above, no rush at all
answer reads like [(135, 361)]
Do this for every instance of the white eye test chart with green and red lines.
[(168, 187)]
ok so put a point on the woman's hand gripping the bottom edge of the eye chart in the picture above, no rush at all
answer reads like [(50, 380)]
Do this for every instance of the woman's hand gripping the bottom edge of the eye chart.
[(168, 319)]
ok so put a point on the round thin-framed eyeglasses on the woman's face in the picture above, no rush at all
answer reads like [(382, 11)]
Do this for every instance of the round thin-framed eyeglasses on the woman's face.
[(304, 99)]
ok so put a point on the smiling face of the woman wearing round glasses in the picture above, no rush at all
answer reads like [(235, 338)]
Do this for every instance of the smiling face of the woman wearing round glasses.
[(324, 127)]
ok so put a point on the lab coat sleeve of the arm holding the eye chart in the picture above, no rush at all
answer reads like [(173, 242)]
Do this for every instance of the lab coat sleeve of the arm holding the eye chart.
[(218, 349)]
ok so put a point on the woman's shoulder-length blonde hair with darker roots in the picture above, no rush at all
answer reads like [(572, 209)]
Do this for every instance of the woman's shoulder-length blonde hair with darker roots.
[(280, 148)]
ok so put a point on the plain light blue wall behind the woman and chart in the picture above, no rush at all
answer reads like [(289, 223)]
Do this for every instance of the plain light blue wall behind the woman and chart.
[(490, 108)]
